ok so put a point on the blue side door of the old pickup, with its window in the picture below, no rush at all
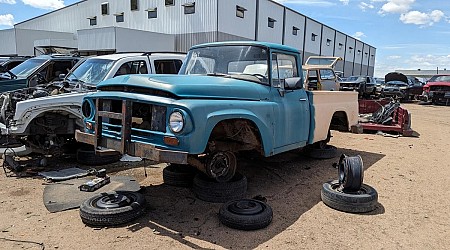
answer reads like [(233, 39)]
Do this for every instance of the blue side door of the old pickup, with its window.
[(292, 112)]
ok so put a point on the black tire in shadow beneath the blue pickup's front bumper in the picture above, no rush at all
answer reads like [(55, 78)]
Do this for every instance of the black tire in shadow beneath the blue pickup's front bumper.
[(179, 175)]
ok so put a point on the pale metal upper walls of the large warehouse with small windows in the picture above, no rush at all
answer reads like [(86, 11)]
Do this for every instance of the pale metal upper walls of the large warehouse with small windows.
[(215, 20)]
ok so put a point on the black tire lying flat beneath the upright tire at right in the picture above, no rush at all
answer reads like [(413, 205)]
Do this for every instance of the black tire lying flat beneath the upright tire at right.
[(362, 201)]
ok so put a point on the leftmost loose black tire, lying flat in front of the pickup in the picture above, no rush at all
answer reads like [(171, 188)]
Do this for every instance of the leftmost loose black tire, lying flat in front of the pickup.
[(96, 216)]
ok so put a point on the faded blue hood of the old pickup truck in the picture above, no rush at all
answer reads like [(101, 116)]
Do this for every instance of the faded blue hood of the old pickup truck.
[(189, 86)]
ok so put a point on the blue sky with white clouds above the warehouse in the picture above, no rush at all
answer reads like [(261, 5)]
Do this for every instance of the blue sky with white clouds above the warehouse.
[(408, 34)]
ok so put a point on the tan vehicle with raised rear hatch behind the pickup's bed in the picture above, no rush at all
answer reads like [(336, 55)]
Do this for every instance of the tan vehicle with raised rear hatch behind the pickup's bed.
[(319, 74)]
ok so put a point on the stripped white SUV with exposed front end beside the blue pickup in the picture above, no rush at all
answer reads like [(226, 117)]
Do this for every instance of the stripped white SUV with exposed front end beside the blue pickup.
[(44, 117)]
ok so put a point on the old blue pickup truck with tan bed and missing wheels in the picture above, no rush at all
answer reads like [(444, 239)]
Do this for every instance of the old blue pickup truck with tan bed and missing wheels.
[(228, 97)]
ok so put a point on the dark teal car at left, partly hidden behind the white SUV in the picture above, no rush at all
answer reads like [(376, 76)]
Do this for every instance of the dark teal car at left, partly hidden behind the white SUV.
[(38, 70)]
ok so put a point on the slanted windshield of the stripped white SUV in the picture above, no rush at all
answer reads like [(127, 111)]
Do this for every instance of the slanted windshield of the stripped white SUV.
[(91, 71)]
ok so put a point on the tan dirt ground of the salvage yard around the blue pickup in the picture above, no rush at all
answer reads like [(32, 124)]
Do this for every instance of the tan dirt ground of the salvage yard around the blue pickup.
[(411, 176)]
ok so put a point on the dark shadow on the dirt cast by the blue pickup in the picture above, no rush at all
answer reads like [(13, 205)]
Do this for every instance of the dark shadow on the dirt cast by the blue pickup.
[(290, 182)]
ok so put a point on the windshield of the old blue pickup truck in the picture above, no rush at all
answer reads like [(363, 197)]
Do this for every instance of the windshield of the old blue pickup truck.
[(234, 61)]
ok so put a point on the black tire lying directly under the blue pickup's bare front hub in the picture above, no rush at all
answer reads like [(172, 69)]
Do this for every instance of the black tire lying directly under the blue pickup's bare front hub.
[(207, 189)]
